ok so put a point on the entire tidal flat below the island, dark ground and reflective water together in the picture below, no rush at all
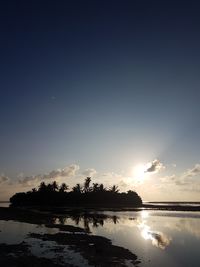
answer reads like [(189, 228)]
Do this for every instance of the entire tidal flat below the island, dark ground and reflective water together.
[(85, 237)]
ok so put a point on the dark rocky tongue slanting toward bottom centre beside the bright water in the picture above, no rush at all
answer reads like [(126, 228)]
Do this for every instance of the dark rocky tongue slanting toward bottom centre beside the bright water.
[(98, 250)]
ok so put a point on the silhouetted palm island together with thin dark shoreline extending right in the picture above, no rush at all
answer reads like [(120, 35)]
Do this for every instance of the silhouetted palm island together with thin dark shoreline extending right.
[(90, 196)]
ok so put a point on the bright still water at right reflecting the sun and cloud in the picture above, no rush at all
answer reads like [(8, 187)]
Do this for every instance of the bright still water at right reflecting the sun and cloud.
[(158, 238)]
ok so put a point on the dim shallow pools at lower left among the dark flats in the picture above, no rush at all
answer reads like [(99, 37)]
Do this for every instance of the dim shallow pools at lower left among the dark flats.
[(12, 232)]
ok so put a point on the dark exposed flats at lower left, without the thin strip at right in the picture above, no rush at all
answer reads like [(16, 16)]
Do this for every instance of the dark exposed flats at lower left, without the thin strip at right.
[(96, 250)]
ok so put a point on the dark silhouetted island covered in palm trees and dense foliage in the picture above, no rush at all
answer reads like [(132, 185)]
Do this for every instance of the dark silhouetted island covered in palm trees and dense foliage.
[(80, 196)]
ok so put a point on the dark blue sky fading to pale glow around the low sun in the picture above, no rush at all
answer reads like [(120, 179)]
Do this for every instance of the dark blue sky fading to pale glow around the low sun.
[(107, 88)]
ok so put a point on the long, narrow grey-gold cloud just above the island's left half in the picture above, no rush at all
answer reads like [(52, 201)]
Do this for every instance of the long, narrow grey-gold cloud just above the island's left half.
[(67, 172)]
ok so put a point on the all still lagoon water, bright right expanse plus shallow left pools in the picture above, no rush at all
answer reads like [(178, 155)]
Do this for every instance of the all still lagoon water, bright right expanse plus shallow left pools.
[(158, 238)]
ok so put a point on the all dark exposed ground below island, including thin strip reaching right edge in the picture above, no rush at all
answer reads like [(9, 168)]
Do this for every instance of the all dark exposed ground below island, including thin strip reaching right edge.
[(95, 250)]
